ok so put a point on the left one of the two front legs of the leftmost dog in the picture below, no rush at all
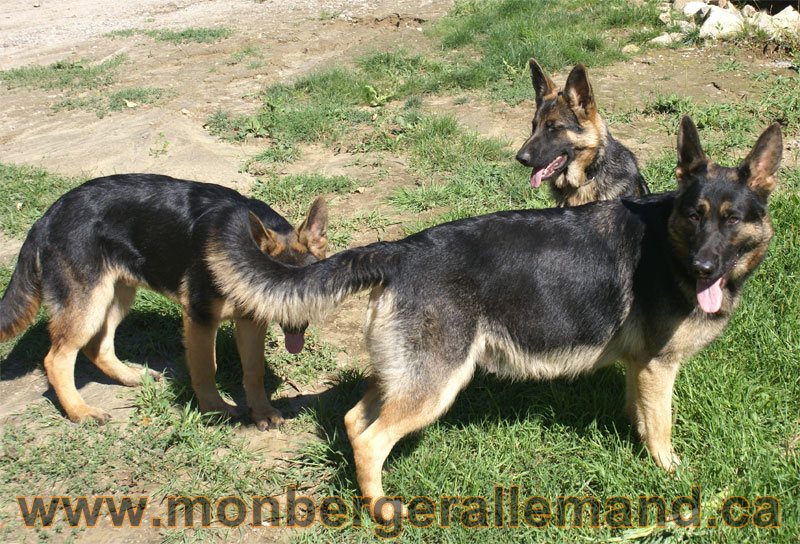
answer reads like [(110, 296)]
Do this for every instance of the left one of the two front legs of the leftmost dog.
[(201, 358)]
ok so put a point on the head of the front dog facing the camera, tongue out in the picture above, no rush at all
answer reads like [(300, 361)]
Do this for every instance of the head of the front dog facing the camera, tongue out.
[(719, 226)]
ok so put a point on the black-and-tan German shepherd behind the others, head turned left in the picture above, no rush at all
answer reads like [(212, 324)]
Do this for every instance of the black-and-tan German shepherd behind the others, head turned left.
[(571, 146)]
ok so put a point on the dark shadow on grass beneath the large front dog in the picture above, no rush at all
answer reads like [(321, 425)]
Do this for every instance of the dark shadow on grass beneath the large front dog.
[(595, 401)]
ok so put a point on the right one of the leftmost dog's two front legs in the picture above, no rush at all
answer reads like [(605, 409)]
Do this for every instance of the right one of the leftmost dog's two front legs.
[(250, 344)]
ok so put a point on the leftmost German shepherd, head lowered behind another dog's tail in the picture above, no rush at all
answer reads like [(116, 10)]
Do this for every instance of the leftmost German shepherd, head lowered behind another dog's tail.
[(85, 257)]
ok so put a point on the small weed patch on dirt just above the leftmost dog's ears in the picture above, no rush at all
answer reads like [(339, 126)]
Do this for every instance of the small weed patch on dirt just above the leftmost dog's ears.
[(294, 194)]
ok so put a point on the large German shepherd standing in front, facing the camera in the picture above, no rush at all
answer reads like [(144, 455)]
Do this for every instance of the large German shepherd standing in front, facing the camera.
[(533, 294)]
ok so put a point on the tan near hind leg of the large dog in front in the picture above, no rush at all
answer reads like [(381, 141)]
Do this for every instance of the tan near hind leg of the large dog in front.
[(402, 411)]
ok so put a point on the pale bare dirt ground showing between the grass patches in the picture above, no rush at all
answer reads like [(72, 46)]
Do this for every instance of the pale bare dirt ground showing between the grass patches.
[(295, 39)]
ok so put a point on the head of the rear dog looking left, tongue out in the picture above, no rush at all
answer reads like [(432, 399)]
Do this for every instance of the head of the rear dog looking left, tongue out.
[(566, 131)]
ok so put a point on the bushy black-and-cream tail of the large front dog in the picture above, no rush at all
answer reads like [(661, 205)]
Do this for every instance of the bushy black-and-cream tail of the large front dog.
[(290, 295)]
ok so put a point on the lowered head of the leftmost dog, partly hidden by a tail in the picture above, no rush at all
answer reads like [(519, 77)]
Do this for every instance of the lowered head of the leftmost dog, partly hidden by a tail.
[(297, 247)]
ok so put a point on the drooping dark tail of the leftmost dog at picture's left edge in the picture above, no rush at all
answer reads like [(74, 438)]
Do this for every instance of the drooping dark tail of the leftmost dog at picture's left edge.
[(23, 295)]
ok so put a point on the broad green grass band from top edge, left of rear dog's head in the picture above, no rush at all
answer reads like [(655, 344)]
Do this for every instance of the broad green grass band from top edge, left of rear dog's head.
[(485, 47)]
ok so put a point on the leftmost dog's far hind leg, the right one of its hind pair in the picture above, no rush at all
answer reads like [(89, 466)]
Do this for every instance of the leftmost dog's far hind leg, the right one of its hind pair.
[(100, 349)]
